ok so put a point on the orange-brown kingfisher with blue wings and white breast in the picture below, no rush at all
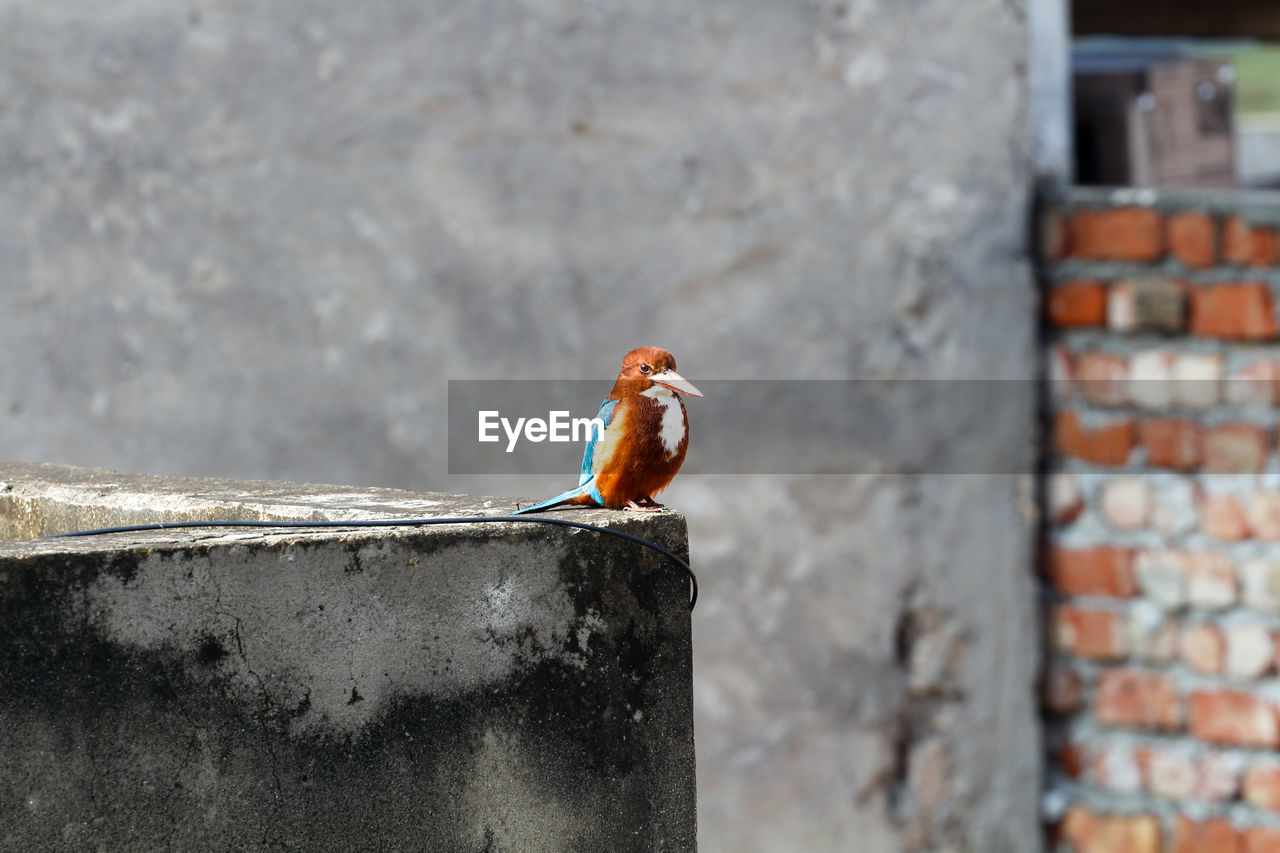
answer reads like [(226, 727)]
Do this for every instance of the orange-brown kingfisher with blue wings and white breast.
[(644, 441)]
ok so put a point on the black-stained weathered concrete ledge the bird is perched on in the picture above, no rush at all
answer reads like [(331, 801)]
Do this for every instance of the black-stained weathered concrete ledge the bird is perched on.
[(463, 688)]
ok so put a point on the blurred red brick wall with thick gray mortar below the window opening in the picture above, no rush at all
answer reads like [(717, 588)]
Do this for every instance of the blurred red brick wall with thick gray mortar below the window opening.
[(1162, 564)]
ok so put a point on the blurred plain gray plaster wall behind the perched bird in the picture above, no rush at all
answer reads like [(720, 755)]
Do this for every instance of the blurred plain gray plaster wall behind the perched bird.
[(255, 240)]
